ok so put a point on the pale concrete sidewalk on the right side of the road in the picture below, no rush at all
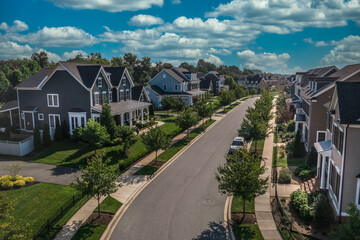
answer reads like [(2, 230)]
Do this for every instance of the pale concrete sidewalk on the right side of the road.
[(263, 211)]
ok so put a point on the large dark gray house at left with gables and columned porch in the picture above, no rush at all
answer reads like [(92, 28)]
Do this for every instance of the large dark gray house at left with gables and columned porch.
[(75, 92)]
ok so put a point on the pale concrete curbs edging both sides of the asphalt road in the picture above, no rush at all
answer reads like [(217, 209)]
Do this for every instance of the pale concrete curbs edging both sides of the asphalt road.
[(112, 225)]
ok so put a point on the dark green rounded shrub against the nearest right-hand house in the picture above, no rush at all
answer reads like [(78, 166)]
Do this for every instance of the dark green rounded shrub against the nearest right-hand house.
[(321, 214)]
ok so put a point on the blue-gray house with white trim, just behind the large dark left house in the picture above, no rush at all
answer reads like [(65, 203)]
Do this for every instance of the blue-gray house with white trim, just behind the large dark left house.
[(177, 82)]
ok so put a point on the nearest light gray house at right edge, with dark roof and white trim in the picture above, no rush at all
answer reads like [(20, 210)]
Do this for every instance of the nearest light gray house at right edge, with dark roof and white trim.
[(338, 154)]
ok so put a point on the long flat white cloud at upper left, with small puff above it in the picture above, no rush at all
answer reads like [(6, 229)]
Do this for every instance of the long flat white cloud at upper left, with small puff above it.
[(51, 37)]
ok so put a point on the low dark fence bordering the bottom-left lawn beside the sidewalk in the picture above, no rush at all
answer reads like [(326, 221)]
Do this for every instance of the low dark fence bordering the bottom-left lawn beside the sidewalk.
[(50, 228)]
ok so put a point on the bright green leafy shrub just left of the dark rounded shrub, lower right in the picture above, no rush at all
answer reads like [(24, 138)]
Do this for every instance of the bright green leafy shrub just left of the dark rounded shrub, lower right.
[(300, 201)]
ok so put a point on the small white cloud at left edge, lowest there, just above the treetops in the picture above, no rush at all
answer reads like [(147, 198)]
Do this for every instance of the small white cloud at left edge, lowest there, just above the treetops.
[(12, 50)]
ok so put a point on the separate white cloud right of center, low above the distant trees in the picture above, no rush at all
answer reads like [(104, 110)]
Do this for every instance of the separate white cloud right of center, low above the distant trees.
[(264, 61)]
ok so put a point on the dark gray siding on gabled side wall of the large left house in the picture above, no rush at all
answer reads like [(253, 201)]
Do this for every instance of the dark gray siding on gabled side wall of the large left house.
[(63, 84)]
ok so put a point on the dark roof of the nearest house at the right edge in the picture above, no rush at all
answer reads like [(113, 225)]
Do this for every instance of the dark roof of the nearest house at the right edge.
[(348, 99)]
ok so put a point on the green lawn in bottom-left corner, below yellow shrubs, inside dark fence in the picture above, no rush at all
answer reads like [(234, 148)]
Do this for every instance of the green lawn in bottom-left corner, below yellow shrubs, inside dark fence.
[(36, 203)]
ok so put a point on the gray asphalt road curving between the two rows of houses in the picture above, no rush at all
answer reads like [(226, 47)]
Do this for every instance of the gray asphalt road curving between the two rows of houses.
[(183, 202)]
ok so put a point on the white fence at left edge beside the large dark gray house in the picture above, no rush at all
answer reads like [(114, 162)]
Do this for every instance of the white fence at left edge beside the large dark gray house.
[(14, 148)]
